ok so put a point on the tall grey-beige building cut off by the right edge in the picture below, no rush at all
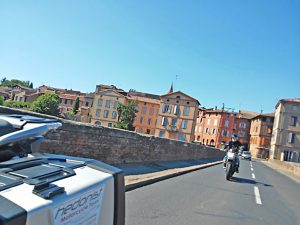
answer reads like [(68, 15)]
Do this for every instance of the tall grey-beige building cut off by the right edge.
[(285, 144)]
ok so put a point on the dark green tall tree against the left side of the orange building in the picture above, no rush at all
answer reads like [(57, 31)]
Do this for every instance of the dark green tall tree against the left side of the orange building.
[(126, 115)]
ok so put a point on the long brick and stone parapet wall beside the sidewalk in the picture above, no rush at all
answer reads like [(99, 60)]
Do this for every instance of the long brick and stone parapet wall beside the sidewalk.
[(116, 146)]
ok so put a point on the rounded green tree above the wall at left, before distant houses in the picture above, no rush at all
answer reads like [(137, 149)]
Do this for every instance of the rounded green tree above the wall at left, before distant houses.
[(46, 104)]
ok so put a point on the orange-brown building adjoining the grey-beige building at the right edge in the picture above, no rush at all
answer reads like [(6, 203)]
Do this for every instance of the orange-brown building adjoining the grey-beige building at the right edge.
[(261, 134)]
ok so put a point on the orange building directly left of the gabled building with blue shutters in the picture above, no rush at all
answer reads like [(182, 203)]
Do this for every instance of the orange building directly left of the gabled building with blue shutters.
[(146, 111)]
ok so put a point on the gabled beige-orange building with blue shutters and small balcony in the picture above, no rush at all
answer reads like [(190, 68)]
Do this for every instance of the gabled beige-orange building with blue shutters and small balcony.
[(177, 116)]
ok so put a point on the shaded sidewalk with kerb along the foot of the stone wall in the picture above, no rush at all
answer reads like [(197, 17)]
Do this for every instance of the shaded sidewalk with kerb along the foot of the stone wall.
[(140, 175)]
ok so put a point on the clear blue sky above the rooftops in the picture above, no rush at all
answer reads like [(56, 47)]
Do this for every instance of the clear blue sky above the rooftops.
[(243, 53)]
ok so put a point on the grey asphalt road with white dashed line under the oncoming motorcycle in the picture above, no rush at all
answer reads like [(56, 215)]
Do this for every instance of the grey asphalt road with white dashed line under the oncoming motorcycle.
[(256, 196)]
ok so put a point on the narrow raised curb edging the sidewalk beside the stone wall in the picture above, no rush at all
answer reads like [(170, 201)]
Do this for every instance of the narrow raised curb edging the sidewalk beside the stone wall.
[(143, 183)]
